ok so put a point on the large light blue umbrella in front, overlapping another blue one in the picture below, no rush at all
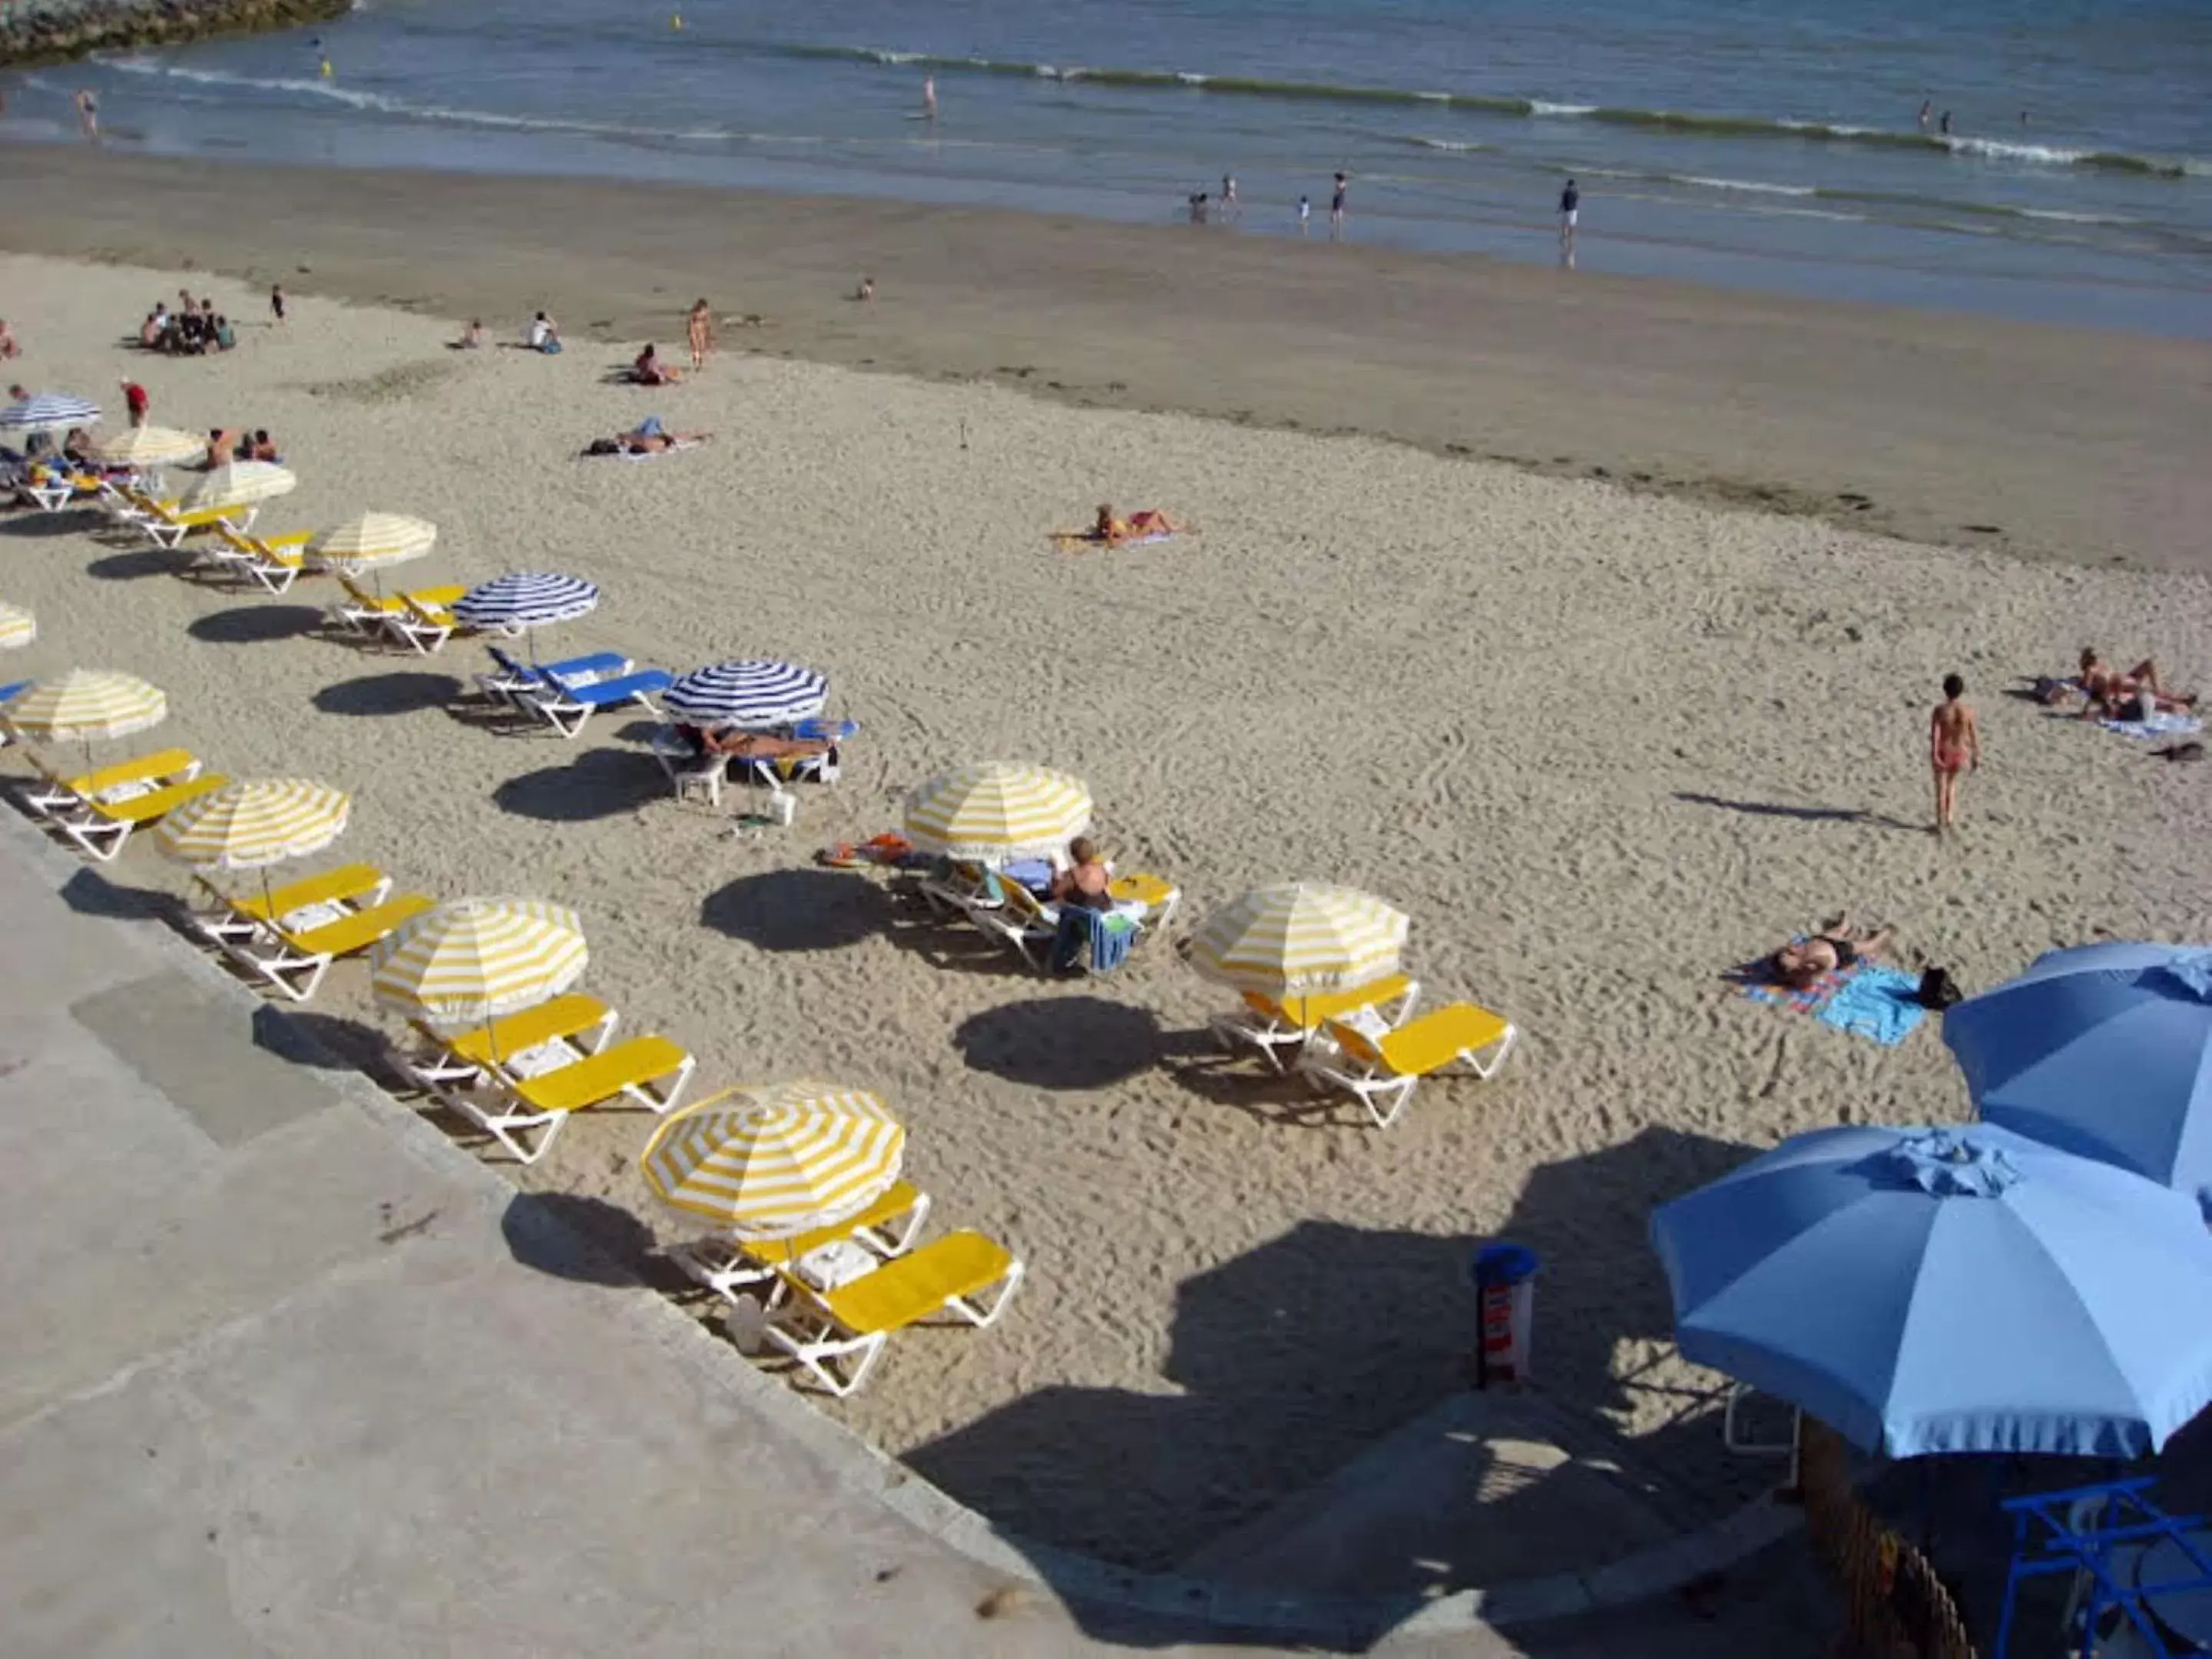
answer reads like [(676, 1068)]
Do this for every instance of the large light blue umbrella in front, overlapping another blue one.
[(1950, 1291)]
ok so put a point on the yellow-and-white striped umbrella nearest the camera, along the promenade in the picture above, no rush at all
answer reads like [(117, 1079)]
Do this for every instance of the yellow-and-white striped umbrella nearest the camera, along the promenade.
[(773, 1162)]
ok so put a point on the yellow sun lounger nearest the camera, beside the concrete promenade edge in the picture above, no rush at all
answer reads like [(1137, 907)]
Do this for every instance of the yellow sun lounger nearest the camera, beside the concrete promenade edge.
[(837, 1335)]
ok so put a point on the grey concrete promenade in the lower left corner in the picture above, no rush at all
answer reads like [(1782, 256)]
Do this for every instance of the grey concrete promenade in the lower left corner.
[(291, 1375)]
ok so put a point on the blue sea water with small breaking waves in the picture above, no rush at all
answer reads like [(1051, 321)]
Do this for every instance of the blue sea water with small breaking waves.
[(1751, 143)]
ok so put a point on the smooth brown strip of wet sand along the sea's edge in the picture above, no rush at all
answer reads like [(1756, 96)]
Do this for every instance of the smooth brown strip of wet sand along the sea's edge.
[(2056, 444)]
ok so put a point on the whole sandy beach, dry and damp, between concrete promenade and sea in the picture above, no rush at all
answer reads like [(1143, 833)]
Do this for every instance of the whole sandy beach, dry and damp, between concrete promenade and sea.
[(1603, 742)]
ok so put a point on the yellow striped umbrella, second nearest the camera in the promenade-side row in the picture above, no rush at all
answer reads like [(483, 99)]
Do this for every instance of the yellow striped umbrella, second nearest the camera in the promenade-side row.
[(479, 959)]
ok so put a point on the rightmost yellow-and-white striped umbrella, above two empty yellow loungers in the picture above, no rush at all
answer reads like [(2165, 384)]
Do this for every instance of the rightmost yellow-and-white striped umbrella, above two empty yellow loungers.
[(1300, 937)]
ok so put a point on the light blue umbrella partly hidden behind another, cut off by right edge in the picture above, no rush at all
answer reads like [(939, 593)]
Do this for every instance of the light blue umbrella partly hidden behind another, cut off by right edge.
[(2105, 1052)]
